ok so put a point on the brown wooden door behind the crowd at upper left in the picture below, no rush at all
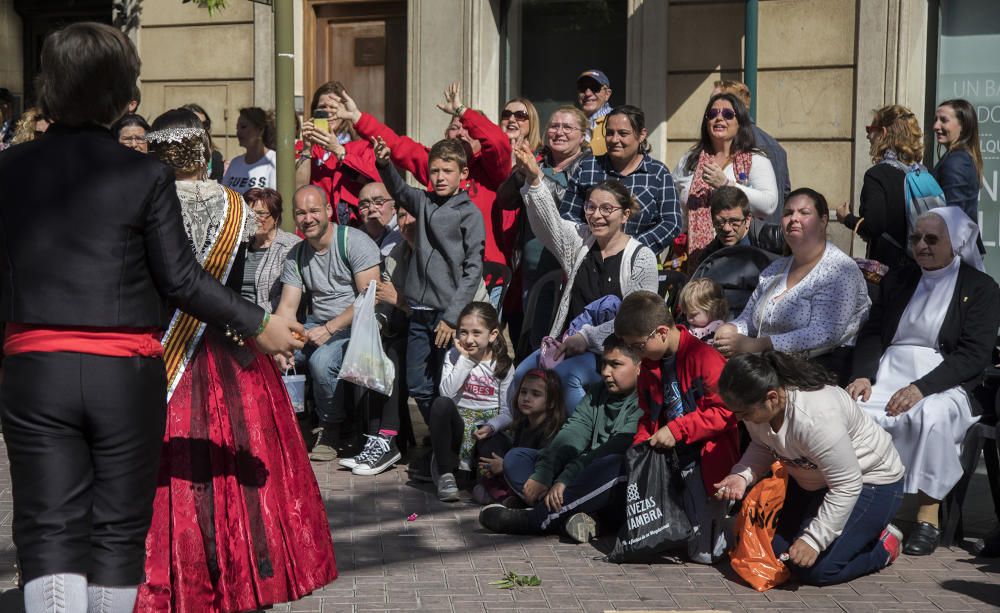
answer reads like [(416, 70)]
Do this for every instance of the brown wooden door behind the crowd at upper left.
[(362, 45)]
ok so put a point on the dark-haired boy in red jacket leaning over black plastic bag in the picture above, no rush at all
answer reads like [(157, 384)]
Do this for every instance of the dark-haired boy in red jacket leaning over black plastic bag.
[(682, 410)]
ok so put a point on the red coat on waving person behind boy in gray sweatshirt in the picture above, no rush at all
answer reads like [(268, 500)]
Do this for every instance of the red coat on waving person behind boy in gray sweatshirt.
[(487, 170)]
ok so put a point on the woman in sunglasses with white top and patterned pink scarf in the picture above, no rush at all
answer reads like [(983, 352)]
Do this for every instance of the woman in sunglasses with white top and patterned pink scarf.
[(726, 154)]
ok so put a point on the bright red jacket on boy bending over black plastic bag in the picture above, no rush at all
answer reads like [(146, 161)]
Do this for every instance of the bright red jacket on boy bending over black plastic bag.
[(706, 419)]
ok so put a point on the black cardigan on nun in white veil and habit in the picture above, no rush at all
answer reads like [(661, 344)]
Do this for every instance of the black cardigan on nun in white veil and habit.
[(967, 335)]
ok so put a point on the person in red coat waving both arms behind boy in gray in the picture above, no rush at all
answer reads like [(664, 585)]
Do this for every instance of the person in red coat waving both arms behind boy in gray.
[(488, 151)]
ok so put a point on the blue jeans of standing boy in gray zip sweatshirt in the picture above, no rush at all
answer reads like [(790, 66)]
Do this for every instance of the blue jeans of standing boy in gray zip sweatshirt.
[(423, 360)]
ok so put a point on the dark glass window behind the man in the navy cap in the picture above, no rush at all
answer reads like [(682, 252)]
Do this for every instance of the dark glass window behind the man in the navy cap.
[(550, 42)]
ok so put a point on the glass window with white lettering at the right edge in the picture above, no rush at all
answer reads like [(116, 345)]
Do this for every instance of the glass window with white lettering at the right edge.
[(968, 48)]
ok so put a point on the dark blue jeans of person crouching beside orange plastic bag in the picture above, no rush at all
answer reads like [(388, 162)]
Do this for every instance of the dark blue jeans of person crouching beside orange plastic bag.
[(857, 550)]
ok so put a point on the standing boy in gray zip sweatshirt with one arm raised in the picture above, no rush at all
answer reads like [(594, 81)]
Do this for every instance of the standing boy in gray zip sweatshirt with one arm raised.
[(446, 268)]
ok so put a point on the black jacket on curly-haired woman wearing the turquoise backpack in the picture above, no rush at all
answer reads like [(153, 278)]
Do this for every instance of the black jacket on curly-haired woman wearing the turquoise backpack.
[(883, 207)]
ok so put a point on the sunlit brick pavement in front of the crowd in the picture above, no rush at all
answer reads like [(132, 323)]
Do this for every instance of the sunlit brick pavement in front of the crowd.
[(443, 562)]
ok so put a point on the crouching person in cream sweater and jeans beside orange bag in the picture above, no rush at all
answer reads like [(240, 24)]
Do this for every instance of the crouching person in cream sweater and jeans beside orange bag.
[(845, 479)]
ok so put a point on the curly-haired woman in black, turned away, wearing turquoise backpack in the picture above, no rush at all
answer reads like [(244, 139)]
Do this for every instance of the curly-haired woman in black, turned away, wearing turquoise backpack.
[(896, 142)]
